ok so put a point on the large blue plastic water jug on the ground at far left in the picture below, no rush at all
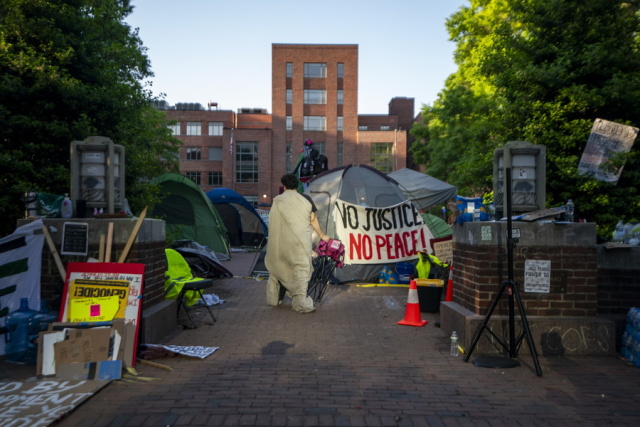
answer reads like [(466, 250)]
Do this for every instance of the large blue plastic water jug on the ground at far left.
[(20, 326)]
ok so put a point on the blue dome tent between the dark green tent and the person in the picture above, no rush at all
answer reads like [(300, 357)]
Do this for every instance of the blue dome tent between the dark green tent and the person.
[(244, 225)]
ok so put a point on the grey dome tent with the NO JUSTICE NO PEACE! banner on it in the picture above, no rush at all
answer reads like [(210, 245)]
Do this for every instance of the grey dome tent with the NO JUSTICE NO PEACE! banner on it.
[(372, 217)]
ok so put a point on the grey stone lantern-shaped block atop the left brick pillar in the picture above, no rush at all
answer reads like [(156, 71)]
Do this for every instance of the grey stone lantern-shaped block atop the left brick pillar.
[(97, 174)]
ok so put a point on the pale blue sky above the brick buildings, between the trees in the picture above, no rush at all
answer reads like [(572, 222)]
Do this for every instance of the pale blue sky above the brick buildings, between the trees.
[(220, 51)]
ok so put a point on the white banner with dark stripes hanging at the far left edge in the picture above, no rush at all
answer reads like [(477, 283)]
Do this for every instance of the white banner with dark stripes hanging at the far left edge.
[(20, 265)]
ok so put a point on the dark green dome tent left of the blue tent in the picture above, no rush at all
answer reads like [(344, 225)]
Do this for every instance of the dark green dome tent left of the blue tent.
[(189, 214)]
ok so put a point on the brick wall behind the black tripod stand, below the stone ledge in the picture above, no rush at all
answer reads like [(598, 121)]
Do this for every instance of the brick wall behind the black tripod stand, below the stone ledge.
[(481, 265)]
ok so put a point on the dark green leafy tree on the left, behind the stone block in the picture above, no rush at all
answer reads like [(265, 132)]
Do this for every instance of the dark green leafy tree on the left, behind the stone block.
[(68, 70)]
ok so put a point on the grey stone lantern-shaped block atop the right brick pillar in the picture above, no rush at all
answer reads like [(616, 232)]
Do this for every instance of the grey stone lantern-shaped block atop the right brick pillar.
[(528, 176)]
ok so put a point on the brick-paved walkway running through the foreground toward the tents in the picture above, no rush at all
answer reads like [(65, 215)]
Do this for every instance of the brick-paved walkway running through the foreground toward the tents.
[(350, 364)]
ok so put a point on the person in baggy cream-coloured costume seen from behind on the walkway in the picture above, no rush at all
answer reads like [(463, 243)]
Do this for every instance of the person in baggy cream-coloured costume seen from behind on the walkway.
[(292, 221)]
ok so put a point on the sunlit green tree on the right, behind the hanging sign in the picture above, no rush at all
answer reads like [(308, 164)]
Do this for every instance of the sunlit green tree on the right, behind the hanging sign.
[(540, 71)]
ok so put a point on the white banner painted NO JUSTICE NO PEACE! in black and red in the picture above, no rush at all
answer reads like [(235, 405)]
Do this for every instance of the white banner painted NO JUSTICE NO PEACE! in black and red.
[(380, 235)]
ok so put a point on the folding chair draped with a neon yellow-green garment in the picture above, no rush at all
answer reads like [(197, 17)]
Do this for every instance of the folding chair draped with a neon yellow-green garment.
[(180, 284)]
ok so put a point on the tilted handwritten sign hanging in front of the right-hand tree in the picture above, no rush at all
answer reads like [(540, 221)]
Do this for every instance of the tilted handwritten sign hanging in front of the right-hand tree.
[(606, 139)]
